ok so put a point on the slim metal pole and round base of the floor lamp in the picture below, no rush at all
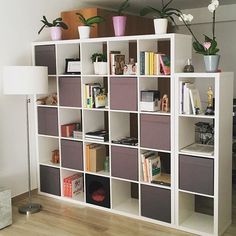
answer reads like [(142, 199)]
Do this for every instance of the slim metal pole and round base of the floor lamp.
[(30, 207)]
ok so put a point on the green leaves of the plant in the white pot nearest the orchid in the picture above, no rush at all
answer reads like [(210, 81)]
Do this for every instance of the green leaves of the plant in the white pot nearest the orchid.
[(164, 12)]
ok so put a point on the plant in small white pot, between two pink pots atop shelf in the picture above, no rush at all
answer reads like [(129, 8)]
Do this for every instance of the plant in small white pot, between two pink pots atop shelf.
[(84, 30)]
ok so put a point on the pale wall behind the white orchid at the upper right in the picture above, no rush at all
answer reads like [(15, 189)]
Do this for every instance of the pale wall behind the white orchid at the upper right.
[(225, 35)]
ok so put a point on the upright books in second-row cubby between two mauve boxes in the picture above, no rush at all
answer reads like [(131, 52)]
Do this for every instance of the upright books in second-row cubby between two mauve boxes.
[(95, 96)]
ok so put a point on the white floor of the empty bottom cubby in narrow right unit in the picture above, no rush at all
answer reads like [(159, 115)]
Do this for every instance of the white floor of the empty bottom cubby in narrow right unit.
[(201, 223)]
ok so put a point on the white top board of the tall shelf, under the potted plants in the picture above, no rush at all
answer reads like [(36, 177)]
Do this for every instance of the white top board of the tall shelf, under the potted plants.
[(110, 39)]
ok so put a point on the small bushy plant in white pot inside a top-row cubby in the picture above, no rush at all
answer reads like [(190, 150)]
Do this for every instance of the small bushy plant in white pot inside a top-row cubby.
[(100, 63)]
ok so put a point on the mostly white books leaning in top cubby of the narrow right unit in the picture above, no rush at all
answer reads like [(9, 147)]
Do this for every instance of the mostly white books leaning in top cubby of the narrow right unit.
[(190, 102)]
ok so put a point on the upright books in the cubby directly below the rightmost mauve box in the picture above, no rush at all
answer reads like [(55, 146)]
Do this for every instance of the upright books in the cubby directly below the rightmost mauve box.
[(151, 165)]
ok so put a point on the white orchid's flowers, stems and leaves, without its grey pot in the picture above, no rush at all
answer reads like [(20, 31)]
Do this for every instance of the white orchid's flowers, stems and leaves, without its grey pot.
[(209, 47)]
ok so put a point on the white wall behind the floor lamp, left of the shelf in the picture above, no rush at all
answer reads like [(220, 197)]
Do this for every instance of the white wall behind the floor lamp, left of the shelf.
[(20, 22)]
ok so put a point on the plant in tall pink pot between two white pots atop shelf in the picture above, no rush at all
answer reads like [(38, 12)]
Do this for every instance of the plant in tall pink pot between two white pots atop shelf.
[(119, 21)]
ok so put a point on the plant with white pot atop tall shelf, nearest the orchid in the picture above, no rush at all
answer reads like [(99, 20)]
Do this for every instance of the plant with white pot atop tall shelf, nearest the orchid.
[(162, 16)]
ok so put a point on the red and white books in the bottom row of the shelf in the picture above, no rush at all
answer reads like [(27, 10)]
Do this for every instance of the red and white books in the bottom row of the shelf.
[(73, 185)]
